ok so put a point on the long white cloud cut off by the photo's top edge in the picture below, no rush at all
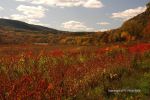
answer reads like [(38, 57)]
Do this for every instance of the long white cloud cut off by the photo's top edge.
[(67, 3)]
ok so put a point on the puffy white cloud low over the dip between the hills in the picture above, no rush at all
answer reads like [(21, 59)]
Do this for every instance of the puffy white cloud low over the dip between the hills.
[(76, 26)]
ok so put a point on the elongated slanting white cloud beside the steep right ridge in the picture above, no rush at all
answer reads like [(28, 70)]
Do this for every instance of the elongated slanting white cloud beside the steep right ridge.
[(127, 14)]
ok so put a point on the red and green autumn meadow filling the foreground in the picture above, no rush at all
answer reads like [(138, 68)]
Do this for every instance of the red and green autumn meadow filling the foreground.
[(44, 72)]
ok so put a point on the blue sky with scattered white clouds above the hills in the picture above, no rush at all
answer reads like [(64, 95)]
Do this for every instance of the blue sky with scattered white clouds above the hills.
[(73, 15)]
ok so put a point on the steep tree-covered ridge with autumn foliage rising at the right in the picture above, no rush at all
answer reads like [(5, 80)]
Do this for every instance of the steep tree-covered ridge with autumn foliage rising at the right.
[(134, 28)]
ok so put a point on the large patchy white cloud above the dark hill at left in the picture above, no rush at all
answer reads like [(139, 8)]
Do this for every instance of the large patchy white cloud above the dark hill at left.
[(29, 14)]
